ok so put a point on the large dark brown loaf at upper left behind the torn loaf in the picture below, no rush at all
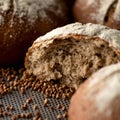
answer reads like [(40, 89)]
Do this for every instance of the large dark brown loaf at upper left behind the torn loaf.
[(22, 21)]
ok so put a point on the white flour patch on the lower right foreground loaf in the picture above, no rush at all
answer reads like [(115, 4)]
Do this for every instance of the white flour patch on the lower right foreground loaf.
[(110, 84)]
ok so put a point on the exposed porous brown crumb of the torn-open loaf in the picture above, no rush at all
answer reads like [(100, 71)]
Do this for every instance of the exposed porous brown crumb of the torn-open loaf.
[(71, 60)]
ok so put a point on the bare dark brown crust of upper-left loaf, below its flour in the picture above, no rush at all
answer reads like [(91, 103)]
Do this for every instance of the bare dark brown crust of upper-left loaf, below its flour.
[(17, 36)]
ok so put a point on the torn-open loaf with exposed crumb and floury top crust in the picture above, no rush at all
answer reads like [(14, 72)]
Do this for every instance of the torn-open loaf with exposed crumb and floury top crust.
[(72, 53)]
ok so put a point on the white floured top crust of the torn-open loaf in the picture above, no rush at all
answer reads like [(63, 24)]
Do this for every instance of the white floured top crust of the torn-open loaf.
[(110, 35)]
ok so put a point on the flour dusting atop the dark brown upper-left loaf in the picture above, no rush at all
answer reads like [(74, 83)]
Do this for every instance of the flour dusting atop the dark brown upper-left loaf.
[(32, 9)]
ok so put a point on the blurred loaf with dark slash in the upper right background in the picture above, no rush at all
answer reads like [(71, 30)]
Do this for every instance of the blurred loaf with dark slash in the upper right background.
[(105, 12)]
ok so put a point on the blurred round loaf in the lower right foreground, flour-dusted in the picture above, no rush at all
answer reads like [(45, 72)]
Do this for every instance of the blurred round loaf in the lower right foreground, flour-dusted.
[(98, 98)]
